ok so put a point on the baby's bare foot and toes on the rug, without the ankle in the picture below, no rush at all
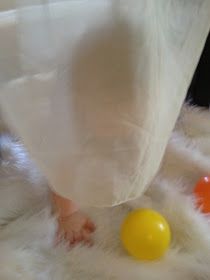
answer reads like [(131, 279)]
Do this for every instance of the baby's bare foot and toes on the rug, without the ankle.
[(76, 228)]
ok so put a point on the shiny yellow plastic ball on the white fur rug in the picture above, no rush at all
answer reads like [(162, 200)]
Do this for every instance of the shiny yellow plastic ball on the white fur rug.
[(145, 234)]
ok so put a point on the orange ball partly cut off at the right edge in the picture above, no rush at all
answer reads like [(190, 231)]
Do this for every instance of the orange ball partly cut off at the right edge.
[(202, 192)]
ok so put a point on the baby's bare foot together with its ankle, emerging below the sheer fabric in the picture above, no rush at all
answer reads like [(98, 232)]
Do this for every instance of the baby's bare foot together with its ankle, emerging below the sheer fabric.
[(73, 225)]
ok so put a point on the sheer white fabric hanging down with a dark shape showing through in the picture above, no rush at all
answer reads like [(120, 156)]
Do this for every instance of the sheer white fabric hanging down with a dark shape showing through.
[(100, 86)]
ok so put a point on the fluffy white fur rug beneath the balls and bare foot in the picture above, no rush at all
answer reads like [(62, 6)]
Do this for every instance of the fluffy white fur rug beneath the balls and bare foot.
[(27, 229)]
